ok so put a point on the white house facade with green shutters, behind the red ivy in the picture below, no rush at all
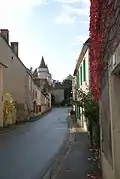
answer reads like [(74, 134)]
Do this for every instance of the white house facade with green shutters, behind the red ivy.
[(81, 81)]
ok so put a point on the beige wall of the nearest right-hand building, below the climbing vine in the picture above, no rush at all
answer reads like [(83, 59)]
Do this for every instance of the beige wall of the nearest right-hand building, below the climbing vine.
[(109, 118)]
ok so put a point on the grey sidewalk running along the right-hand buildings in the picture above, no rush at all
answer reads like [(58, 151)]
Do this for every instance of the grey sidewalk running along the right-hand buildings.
[(76, 164)]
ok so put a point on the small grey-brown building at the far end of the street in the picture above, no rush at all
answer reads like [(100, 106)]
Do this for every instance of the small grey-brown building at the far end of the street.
[(58, 92)]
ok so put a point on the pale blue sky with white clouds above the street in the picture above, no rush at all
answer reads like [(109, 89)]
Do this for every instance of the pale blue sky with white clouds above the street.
[(55, 29)]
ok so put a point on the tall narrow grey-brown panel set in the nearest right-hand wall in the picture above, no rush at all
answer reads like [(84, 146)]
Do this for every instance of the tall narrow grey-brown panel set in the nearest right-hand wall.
[(106, 124)]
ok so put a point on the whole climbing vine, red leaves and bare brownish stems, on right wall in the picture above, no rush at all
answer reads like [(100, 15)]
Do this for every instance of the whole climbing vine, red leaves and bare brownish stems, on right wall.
[(105, 37)]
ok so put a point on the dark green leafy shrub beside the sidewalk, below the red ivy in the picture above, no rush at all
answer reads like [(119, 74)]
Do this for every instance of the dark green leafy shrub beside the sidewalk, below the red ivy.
[(91, 112)]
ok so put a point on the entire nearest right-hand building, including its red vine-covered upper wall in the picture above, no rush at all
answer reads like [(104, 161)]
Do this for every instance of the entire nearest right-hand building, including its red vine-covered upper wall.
[(105, 34)]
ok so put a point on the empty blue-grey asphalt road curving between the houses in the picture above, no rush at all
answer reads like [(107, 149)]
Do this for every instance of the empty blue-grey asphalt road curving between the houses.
[(26, 151)]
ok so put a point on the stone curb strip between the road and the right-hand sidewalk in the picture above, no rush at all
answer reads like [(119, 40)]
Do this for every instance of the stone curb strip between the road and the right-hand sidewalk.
[(50, 171)]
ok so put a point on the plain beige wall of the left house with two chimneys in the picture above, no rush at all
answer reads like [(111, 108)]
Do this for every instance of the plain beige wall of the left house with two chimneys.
[(15, 76)]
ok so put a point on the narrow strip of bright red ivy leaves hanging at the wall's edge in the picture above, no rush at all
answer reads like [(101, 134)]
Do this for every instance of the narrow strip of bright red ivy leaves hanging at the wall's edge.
[(95, 63)]
